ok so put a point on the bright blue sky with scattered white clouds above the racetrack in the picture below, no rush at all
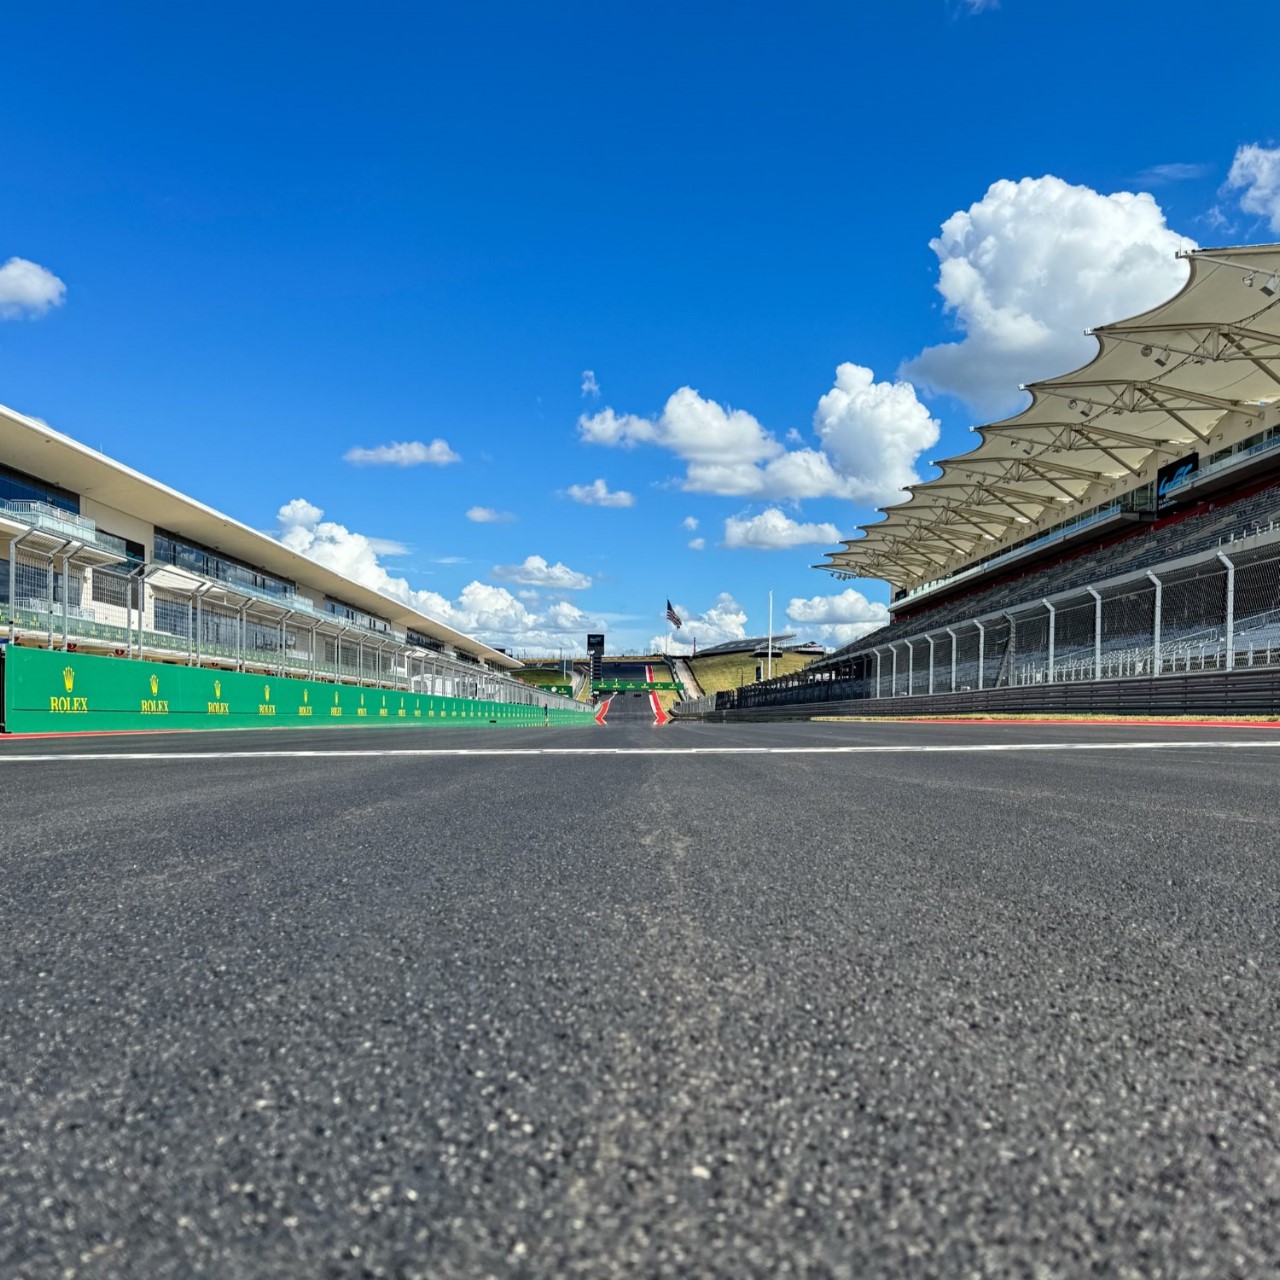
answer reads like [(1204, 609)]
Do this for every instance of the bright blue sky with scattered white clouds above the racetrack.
[(255, 239)]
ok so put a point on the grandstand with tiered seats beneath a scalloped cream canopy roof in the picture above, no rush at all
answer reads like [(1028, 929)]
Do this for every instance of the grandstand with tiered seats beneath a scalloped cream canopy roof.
[(1126, 525)]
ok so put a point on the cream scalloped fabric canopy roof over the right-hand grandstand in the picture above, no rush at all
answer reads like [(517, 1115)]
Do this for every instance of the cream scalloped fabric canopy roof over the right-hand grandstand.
[(1156, 390)]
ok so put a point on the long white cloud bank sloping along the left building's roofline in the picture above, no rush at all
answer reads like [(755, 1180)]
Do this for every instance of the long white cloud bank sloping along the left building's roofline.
[(482, 610)]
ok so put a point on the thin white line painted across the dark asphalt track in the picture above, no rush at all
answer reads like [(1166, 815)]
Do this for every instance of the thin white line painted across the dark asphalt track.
[(428, 753)]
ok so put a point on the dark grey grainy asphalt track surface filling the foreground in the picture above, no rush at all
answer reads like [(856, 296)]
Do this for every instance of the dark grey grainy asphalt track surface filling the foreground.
[(778, 1000)]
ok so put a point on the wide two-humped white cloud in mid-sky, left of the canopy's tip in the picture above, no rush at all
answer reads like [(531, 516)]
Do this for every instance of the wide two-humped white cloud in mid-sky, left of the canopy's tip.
[(870, 436)]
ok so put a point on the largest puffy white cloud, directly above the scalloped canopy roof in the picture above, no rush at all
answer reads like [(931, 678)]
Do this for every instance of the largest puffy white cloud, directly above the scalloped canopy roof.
[(1027, 269)]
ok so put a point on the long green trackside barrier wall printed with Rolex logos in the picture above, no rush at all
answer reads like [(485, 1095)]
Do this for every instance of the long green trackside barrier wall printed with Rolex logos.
[(67, 693)]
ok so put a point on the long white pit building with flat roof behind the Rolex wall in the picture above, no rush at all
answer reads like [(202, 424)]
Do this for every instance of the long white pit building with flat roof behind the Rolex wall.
[(99, 560)]
